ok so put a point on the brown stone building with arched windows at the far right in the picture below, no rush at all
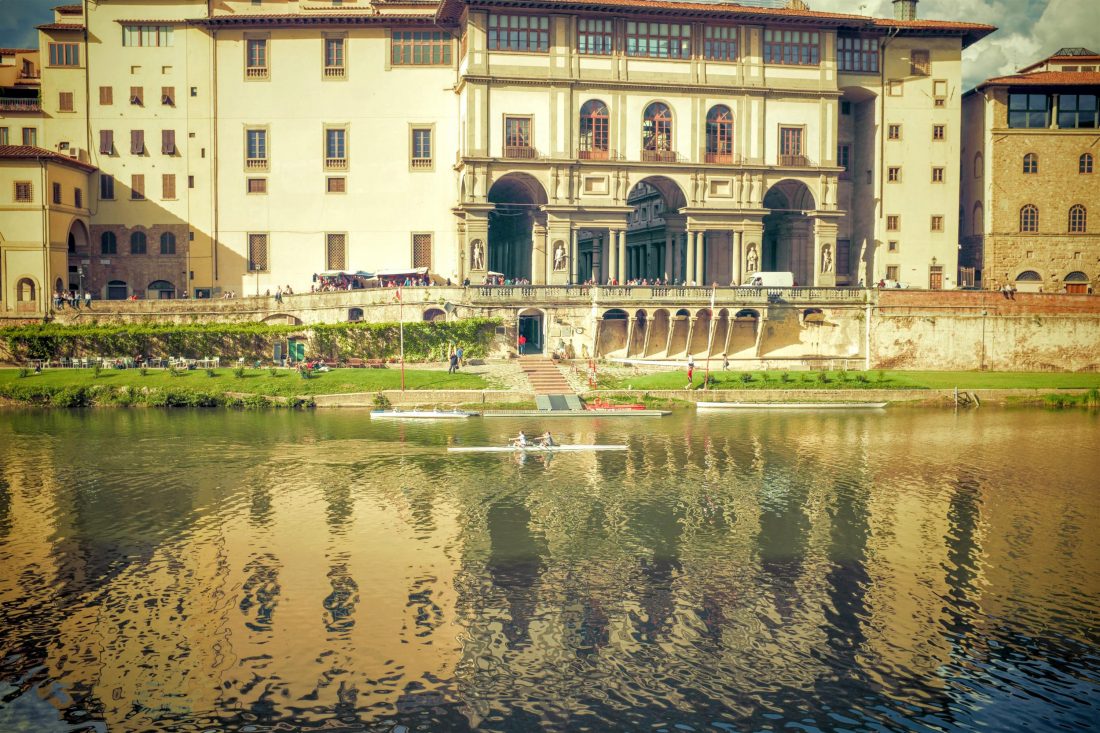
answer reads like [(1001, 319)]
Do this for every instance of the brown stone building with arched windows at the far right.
[(1030, 177)]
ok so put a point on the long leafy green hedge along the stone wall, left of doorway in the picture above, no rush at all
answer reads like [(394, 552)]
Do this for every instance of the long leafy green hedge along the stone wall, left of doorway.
[(424, 342)]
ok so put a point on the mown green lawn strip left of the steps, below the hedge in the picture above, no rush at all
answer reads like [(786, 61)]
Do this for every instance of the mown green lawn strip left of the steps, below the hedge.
[(285, 382)]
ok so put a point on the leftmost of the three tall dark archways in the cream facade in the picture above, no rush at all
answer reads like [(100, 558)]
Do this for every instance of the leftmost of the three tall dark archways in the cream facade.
[(519, 199)]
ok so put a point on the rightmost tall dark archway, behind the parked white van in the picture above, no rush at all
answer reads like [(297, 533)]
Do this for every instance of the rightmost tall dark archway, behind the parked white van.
[(788, 232)]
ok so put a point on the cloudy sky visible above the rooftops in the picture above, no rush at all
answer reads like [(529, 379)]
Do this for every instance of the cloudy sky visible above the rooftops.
[(1029, 30)]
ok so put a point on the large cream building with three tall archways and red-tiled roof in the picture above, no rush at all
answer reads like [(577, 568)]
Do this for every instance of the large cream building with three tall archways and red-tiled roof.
[(247, 145)]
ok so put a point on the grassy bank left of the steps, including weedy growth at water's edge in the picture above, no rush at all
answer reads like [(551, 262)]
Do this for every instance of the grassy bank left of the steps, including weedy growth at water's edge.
[(71, 388)]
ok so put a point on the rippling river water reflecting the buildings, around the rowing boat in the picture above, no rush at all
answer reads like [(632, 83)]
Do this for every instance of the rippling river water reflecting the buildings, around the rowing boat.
[(909, 570)]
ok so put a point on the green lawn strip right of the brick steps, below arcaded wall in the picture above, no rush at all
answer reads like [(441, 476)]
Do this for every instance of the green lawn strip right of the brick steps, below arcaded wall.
[(886, 380)]
